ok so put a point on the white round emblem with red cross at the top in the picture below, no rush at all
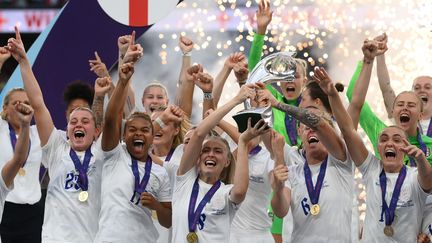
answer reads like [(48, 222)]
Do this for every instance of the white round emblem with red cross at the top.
[(137, 12)]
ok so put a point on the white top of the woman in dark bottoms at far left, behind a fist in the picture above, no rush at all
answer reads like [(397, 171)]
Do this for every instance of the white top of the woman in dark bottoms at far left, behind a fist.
[(27, 188)]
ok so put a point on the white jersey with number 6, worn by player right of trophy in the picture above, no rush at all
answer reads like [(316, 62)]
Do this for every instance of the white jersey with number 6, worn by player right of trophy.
[(333, 223)]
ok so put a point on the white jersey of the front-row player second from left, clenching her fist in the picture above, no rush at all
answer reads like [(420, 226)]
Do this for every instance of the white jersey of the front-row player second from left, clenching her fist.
[(122, 217)]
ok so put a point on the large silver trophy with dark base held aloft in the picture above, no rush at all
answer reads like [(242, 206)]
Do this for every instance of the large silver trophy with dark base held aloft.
[(277, 67)]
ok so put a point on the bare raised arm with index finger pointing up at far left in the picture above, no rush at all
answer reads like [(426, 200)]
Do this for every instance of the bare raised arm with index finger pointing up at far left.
[(42, 116)]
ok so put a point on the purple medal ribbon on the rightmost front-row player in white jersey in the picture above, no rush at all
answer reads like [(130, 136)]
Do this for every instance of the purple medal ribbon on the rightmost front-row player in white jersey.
[(389, 211)]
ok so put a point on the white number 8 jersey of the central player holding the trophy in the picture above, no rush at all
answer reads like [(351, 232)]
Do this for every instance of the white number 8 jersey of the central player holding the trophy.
[(215, 221)]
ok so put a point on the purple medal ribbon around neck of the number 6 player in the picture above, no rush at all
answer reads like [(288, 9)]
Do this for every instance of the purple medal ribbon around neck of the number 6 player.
[(314, 192)]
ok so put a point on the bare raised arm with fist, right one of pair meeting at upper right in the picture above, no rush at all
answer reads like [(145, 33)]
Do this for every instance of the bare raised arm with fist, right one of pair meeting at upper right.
[(383, 76)]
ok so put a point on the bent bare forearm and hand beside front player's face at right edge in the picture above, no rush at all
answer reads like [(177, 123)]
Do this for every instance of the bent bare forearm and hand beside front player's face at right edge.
[(424, 168)]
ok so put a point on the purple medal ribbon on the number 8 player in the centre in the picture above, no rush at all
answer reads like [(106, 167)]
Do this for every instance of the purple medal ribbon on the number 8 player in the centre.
[(193, 216)]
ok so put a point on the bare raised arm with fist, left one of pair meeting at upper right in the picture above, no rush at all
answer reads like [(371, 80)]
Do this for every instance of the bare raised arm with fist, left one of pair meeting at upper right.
[(360, 89)]
